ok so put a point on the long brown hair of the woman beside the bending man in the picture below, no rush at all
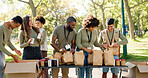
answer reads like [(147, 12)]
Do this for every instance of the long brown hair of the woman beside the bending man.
[(26, 28)]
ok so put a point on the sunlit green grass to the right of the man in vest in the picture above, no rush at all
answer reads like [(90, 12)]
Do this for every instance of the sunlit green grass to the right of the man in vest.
[(137, 50)]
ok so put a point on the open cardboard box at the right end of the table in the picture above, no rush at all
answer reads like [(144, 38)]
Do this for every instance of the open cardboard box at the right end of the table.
[(137, 69)]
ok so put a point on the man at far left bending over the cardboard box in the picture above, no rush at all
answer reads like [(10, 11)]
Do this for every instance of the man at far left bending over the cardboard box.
[(5, 33)]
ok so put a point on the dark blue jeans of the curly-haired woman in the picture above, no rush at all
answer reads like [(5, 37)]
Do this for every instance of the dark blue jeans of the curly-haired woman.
[(82, 70)]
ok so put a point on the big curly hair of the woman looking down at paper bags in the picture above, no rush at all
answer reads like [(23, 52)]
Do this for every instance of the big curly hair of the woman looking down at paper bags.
[(90, 21)]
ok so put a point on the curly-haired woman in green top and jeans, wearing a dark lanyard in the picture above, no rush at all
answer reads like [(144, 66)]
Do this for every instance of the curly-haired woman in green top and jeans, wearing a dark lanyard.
[(87, 37)]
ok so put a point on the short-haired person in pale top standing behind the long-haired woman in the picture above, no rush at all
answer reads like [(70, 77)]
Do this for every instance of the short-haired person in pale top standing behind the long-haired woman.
[(40, 21)]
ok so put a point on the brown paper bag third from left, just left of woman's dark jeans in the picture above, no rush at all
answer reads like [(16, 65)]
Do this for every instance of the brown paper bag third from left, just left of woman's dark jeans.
[(79, 58)]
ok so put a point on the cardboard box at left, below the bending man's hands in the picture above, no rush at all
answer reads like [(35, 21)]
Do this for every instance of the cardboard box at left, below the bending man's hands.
[(25, 69)]
